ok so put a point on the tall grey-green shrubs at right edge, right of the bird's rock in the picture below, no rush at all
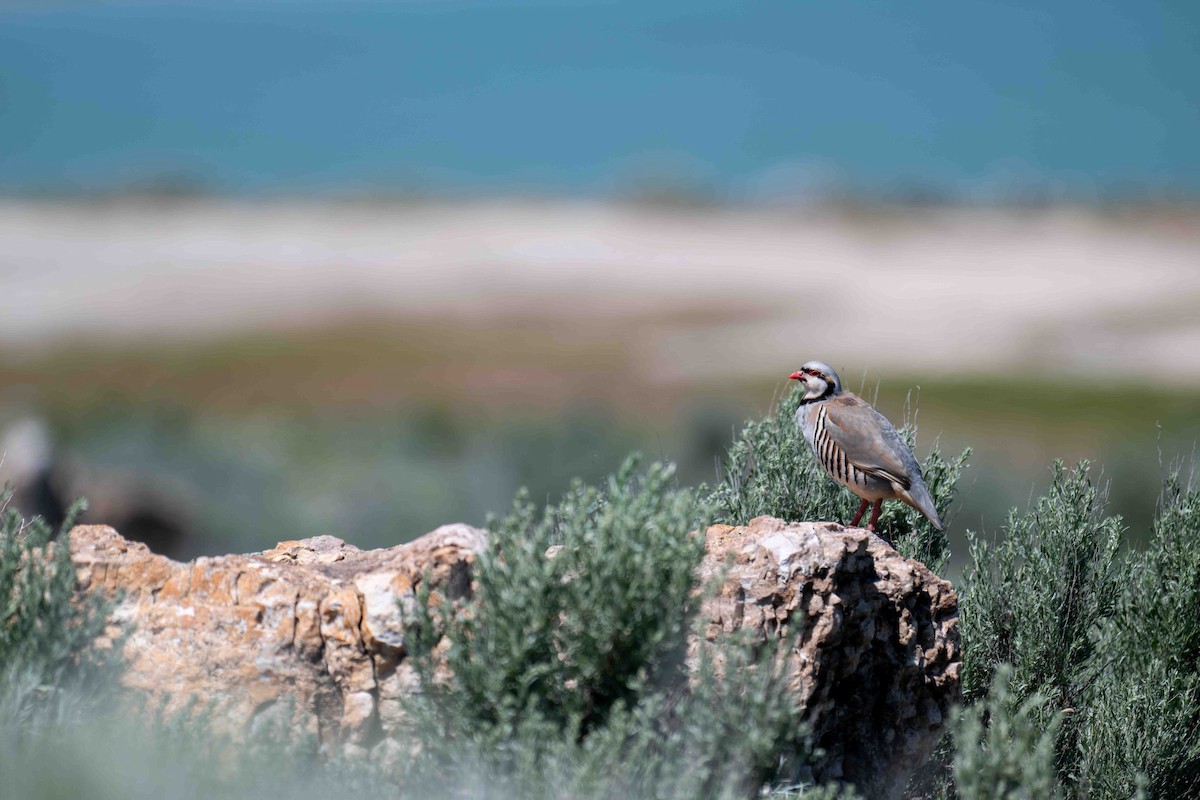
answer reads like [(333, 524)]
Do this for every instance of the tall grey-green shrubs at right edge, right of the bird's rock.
[(1107, 640)]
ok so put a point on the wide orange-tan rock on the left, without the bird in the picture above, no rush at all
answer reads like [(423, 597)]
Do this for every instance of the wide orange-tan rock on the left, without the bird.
[(315, 624)]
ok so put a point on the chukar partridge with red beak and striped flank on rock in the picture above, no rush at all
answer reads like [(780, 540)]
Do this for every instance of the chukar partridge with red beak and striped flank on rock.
[(859, 447)]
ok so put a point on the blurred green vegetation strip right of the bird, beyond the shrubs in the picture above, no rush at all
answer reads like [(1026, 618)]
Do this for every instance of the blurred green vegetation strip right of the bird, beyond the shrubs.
[(1019, 425)]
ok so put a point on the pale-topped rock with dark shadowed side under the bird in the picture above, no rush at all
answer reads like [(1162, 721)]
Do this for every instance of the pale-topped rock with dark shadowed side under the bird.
[(878, 660)]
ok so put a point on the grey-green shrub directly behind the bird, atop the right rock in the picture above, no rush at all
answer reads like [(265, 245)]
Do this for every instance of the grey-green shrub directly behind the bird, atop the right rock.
[(770, 470)]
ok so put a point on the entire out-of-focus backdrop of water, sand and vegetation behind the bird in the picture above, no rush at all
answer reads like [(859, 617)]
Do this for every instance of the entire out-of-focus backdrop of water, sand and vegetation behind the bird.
[(273, 269)]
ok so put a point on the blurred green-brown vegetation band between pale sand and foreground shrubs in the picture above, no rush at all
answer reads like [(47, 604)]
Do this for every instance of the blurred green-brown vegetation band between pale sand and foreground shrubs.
[(380, 430)]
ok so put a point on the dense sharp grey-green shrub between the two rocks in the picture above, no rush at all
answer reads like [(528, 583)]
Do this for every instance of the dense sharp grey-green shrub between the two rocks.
[(563, 640)]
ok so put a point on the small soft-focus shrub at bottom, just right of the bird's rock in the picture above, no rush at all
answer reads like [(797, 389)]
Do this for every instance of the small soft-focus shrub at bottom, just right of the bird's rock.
[(1005, 747)]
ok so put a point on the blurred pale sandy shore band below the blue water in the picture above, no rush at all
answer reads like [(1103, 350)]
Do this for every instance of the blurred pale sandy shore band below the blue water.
[(940, 293)]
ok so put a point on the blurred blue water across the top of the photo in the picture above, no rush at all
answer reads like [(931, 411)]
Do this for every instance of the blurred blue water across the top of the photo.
[(585, 98)]
